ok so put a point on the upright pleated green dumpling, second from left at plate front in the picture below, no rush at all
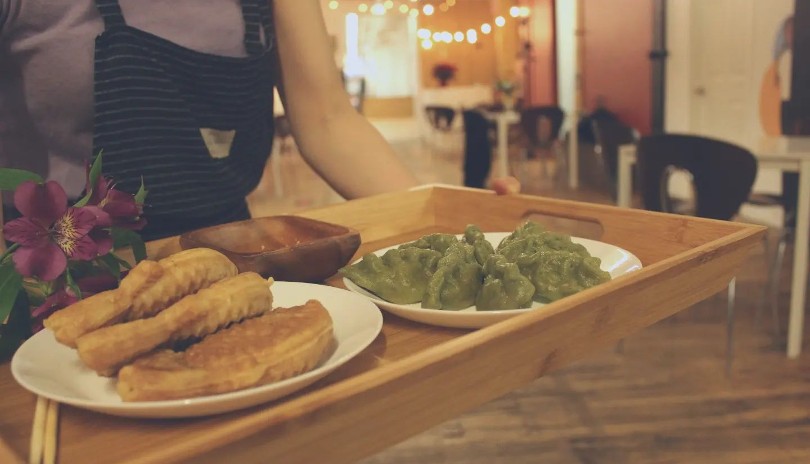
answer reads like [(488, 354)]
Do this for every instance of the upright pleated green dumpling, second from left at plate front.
[(456, 281)]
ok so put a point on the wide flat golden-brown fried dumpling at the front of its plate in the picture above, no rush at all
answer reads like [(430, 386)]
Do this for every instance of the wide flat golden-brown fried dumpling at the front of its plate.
[(269, 348)]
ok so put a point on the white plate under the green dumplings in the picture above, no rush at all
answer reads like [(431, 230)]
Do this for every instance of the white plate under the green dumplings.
[(615, 260)]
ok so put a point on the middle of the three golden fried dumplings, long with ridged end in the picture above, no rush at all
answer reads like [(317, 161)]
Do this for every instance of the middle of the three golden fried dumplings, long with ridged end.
[(230, 300)]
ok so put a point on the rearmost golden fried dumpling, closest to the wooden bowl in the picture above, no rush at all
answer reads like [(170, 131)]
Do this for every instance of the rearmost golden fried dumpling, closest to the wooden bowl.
[(147, 289)]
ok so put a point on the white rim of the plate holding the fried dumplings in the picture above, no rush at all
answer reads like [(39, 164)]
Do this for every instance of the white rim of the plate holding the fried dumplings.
[(144, 408)]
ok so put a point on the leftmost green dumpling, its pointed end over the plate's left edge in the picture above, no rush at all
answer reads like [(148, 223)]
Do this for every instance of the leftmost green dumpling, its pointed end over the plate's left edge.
[(400, 276)]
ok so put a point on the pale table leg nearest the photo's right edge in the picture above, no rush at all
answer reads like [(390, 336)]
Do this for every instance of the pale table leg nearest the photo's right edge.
[(797, 289)]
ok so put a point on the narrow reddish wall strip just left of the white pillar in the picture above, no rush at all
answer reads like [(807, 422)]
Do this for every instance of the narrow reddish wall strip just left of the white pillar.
[(542, 72)]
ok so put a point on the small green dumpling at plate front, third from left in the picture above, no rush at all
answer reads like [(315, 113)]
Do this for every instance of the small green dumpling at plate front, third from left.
[(504, 286)]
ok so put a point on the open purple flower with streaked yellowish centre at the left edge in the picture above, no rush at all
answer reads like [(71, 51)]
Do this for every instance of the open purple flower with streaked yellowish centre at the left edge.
[(48, 233)]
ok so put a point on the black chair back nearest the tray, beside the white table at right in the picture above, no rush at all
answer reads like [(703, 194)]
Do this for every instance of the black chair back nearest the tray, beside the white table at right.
[(722, 173)]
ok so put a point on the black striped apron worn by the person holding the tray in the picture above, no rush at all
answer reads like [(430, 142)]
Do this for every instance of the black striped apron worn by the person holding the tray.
[(196, 127)]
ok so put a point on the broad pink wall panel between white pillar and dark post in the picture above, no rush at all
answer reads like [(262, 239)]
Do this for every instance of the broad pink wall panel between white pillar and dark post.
[(616, 68)]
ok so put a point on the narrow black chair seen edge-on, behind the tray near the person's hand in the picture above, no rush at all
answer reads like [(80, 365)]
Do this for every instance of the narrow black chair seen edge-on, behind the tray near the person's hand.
[(477, 149)]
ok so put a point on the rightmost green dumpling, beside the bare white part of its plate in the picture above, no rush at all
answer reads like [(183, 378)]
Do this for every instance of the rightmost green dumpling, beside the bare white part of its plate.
[(559, 273)]
